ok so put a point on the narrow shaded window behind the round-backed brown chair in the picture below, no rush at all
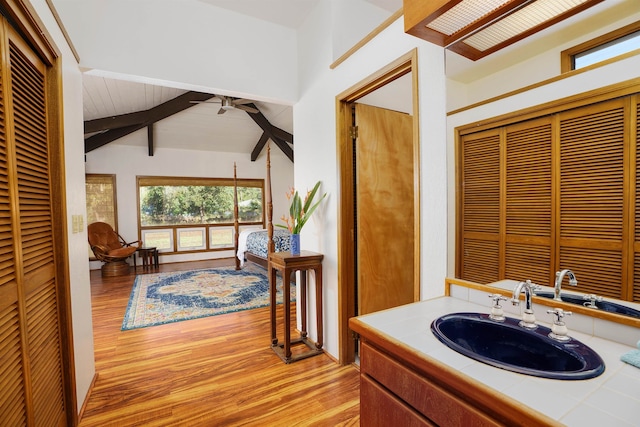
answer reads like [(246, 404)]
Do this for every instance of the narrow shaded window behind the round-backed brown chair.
[(101, 201)]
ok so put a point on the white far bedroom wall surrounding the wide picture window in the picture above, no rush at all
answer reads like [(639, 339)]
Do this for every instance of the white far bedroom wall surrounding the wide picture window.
[(127, 162)]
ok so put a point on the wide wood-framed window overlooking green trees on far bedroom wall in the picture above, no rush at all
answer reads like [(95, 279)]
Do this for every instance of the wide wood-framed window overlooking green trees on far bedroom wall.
[(196, 214)]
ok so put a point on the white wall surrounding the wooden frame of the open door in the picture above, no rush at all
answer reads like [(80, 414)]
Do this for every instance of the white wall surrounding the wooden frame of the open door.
[(316, 151)]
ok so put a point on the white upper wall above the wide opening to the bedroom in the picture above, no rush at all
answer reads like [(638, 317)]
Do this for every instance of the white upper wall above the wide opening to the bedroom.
[(187, 44)]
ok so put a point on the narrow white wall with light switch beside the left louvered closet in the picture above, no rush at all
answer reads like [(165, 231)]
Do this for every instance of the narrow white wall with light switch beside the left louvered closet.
[(75, 189)]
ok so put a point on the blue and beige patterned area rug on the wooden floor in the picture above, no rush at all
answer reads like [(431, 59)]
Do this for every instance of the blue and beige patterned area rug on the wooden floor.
[(162, 298)]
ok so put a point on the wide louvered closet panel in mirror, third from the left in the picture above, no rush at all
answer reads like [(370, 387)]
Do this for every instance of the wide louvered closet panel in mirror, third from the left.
[(593, 153)]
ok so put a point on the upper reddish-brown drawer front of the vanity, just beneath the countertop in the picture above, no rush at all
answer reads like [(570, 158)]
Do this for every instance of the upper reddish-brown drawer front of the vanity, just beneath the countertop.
[(435, 402)]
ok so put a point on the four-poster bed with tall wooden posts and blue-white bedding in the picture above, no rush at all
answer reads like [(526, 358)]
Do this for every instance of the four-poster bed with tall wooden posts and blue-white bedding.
[(255, 245)]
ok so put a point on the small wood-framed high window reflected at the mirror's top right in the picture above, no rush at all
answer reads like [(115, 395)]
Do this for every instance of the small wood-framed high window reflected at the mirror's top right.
[(610, 46)]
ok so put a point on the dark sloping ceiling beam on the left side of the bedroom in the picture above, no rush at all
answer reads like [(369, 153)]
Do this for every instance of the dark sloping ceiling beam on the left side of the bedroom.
[(119, 126)]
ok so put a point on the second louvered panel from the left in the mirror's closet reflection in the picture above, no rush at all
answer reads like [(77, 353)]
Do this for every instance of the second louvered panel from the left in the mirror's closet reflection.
[(528, 201)]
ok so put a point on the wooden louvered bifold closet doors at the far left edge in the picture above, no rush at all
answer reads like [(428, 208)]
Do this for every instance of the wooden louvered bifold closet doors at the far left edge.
[(31, 374)]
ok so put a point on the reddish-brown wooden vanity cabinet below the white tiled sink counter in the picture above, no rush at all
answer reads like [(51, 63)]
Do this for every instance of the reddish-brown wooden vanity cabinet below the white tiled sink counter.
[(400, 386)]
